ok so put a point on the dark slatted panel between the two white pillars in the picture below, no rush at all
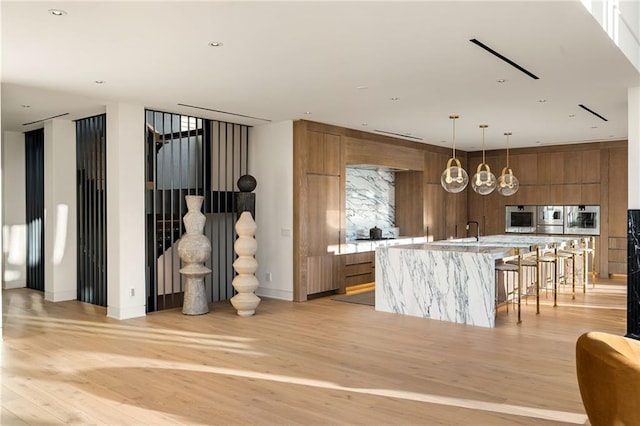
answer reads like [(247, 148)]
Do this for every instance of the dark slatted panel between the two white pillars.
[(91, 135)]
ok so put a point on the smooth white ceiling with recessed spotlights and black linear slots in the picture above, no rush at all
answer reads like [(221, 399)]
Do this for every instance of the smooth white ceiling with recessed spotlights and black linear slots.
[(397, 67)]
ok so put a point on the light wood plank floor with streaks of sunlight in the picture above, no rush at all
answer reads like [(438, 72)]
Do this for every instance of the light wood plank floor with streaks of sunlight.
[(313, 363)]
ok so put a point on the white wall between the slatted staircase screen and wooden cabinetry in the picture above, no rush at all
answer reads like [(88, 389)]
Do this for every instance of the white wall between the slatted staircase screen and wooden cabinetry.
[(271, 163)]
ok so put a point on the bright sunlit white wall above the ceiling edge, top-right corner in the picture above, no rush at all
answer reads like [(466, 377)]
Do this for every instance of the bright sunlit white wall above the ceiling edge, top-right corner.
[(621, 21)]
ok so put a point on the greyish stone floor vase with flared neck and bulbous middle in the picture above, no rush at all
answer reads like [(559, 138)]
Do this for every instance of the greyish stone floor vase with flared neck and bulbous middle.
[(194, 249)]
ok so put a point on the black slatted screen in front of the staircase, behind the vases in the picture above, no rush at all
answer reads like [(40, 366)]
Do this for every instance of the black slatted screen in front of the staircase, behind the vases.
[(190, 156)]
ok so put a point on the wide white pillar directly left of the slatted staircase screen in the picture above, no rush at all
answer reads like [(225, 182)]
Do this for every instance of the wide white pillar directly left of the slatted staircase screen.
[(125, 211)]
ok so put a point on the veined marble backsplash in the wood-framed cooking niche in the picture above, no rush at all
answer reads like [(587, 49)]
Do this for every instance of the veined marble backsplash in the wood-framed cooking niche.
[(370, 201)]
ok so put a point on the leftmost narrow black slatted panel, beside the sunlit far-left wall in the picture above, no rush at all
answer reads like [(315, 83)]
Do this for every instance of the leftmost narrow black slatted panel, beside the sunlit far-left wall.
[(34, 170)]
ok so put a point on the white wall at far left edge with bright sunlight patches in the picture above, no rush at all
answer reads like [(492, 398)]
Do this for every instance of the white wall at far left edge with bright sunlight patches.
[(14, 213)]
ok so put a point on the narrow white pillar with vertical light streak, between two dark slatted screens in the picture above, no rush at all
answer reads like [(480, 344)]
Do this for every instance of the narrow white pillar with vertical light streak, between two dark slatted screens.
[(60, 241)]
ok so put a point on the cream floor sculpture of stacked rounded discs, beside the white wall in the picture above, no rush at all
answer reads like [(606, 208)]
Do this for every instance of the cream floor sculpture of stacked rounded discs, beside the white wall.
[(245, 265)]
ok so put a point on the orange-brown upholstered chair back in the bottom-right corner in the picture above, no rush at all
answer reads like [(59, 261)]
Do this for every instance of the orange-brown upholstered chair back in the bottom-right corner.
[(608, 368)]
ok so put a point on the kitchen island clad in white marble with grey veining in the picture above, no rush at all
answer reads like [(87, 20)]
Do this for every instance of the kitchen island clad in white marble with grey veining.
[(451, 280)]
